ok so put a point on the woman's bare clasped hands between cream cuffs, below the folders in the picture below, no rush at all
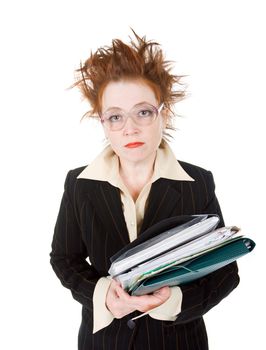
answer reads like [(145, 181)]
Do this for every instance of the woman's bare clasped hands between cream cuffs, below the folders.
[(120, 303)]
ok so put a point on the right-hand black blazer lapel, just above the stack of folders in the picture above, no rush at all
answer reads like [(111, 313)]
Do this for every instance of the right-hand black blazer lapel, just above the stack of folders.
[(163, 202)]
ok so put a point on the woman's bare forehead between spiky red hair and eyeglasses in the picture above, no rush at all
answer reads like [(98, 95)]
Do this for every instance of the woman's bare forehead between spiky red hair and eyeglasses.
[(126, 94)]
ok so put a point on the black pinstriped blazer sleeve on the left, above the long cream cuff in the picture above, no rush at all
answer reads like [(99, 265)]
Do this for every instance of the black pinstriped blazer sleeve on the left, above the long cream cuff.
[(68, 255)]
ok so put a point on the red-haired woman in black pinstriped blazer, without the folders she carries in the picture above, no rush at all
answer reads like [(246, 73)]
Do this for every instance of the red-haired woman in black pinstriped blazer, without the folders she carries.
[(134, 183)]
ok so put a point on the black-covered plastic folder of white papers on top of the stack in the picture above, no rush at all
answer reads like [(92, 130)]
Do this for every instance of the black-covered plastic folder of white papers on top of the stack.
[(160, 238)]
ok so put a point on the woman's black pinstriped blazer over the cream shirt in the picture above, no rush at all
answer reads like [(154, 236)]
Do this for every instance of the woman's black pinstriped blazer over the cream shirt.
[(91, 224)]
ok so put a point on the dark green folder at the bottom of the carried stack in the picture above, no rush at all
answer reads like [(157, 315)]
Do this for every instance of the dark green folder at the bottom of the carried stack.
[(197, 267)]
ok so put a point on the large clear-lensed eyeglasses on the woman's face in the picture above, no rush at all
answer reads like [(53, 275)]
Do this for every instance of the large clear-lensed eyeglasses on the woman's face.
[(143, 114)]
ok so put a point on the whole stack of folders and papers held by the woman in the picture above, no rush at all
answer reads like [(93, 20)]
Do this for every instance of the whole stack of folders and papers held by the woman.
[(177, 251)]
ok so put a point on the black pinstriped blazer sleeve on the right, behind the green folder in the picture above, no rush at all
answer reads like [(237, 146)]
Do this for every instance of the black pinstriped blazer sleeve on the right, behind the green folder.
[(203, 294)]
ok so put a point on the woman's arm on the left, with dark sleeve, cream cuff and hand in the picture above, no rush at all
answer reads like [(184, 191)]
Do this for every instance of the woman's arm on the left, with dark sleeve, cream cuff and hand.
[(68, 259)]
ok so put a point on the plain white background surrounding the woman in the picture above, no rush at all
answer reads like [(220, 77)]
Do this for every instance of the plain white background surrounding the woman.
[(221, 46)]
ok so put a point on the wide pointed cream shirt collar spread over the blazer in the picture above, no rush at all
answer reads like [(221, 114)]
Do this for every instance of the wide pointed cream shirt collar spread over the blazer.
[(105, 167)]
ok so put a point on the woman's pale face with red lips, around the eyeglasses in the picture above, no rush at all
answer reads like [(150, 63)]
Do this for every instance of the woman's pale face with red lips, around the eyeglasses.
[(133, 143)]
